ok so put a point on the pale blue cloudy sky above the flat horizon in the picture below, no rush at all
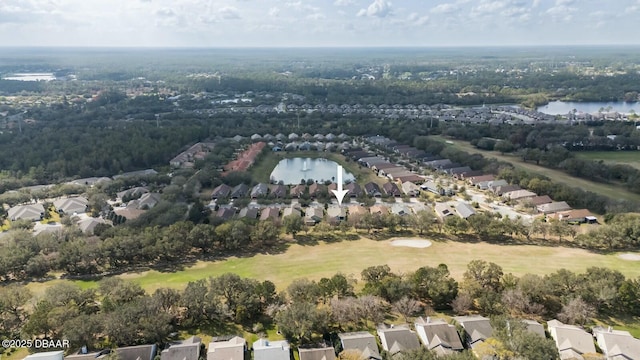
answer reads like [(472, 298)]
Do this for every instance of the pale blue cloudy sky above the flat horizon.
[(312, 23)]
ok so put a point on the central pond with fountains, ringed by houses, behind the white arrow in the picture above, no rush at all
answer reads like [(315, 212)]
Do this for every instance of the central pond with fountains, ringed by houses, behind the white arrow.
[(291, 171)]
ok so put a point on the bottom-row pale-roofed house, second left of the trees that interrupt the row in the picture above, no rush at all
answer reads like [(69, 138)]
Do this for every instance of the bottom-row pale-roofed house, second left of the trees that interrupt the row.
[(438, 336)]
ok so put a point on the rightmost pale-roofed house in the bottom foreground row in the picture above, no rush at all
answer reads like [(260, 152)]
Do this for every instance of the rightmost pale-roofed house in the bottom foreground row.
[(617, 344)]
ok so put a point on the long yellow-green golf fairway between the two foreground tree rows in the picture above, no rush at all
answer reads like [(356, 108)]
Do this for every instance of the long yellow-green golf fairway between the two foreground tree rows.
[(351, 257)]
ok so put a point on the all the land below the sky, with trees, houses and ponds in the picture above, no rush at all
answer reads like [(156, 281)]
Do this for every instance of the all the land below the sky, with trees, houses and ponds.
[(192, 209)]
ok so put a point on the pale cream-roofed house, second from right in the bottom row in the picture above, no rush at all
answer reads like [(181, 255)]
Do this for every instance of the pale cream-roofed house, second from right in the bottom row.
[(572, 342)]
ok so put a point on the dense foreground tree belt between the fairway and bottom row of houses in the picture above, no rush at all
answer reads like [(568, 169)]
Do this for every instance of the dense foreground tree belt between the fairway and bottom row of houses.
[(119, 313)]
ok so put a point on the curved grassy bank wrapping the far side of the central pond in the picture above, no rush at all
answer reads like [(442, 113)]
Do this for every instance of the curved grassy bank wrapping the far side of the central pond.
[(262, 170)]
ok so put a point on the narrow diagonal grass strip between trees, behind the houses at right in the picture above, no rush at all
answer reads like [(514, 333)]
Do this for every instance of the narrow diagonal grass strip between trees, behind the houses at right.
[(609, 190)]
